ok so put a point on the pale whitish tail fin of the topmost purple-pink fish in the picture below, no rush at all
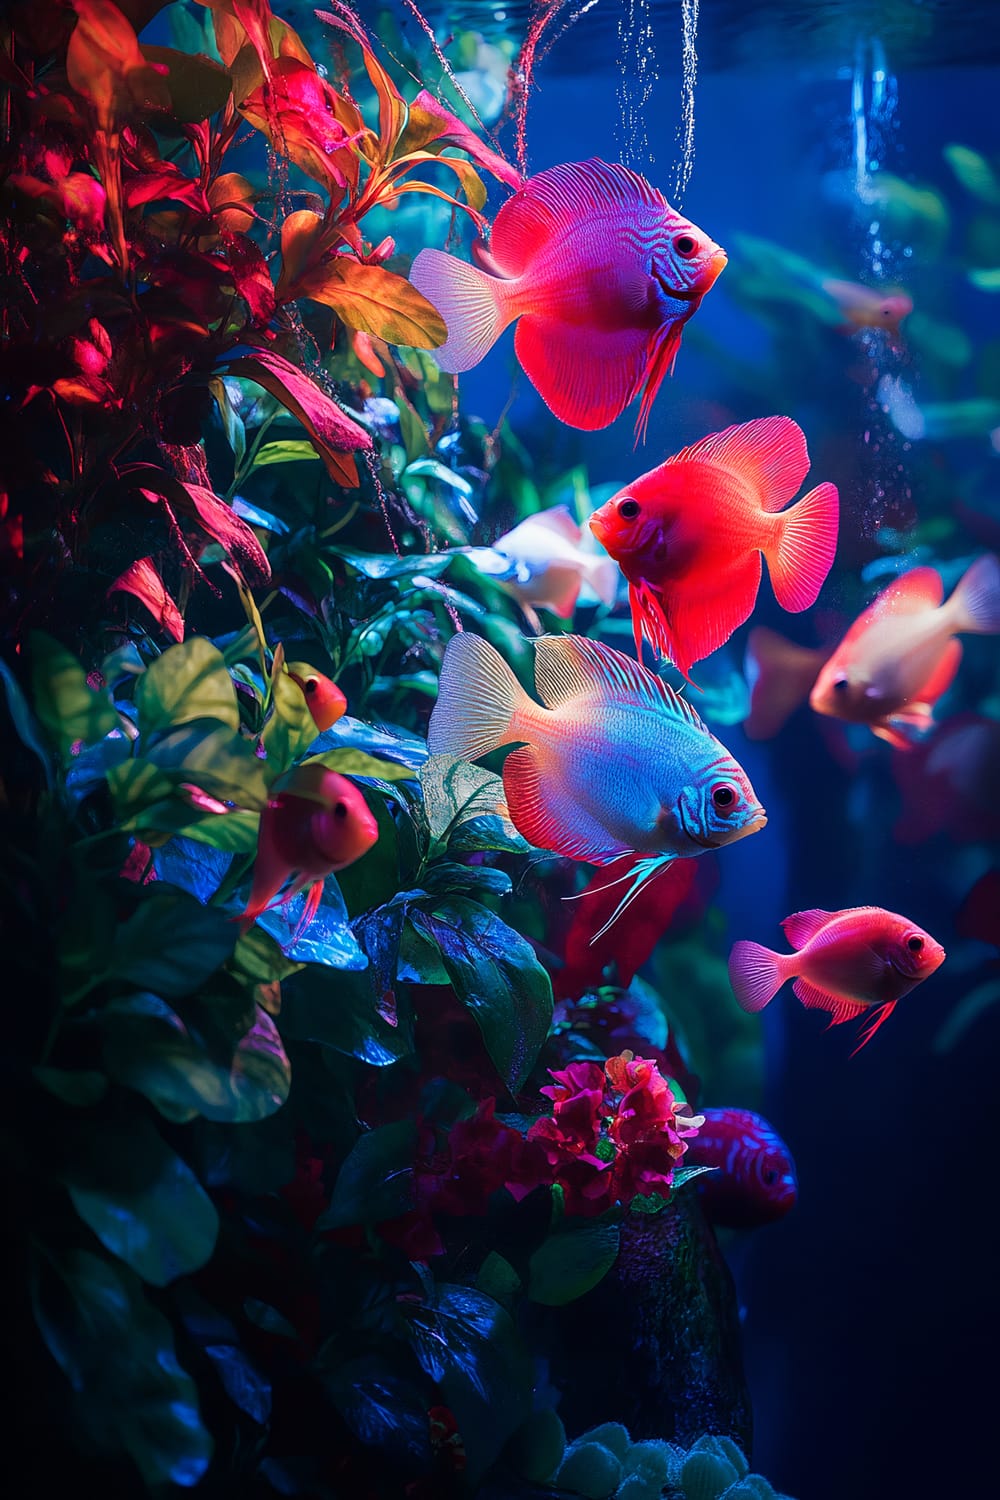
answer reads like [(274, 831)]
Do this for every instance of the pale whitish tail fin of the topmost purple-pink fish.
[(473, 304)]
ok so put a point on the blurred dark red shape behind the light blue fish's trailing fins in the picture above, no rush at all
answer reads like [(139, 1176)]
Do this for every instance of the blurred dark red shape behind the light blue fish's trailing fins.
[(636, 934)]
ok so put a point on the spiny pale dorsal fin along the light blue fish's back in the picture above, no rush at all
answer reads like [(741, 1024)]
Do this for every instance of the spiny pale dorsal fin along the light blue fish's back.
[(573, 667)]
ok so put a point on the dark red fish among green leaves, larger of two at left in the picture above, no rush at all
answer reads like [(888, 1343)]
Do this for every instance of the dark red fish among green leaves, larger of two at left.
[(317, 824)]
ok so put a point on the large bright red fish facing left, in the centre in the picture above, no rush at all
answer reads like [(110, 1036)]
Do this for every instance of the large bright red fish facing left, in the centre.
[(689, 536)]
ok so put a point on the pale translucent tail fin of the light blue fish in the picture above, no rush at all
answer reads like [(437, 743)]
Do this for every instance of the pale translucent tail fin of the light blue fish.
[(478, 700)]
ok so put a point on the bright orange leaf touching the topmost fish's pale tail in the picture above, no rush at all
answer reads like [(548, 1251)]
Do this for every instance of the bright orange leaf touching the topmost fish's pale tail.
[(376, 302)]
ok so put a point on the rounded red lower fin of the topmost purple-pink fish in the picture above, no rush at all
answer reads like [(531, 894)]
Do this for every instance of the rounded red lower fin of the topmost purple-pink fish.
[(587, 377)]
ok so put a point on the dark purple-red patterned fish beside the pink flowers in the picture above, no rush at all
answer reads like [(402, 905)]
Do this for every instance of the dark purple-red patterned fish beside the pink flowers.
[(755, 1181)]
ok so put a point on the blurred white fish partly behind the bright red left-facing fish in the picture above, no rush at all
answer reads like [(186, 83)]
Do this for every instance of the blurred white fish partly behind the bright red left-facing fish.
[(554, 565)]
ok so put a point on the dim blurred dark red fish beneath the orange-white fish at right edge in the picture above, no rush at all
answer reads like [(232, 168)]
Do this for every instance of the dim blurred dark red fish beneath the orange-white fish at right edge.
[(950, 782)]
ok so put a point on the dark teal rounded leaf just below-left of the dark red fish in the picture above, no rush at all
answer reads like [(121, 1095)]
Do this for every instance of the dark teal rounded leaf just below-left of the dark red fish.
[(172, 944)]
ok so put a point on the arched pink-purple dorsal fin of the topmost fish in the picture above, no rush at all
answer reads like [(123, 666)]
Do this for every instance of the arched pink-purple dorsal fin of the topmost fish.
[(557, 202)]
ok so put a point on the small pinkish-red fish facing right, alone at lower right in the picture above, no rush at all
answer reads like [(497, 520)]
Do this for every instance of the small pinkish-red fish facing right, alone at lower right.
[(863, 959)]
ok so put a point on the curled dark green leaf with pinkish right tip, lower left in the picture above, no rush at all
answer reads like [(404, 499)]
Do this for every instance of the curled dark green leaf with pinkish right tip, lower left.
[(149, 1049)]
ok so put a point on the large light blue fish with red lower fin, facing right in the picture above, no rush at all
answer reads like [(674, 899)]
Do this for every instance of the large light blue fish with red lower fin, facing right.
[(614, 764)]
